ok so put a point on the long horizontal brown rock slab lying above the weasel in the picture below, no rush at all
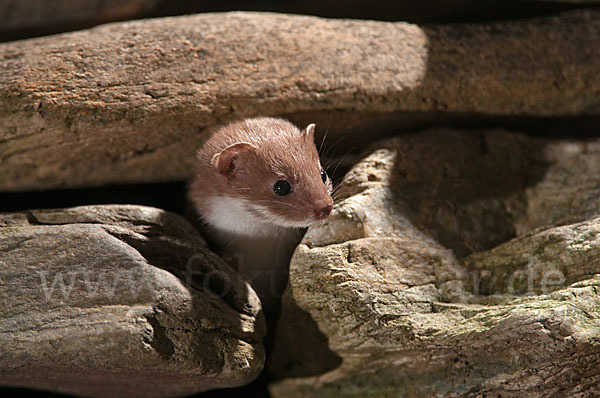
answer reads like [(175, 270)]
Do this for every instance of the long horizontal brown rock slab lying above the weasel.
[(130, 102)]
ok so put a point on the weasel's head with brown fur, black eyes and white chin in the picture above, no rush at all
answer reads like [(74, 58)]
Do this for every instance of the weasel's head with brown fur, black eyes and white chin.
[(268, 180)]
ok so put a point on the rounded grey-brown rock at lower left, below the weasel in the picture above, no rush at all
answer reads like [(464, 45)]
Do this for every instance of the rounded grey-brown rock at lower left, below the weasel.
[(122, 301)]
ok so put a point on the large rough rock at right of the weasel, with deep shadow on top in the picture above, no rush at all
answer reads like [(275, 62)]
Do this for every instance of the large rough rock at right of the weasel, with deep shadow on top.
[(438, 274)]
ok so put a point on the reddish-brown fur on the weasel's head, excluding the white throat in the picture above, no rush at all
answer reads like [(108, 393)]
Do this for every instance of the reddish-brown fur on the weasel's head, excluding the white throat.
[(277, 150)]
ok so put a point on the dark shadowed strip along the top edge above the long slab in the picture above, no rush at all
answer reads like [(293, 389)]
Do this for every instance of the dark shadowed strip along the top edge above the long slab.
[(423, 12)]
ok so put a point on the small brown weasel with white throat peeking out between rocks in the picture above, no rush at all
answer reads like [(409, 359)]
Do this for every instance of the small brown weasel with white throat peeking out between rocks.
[(258, 183)]
